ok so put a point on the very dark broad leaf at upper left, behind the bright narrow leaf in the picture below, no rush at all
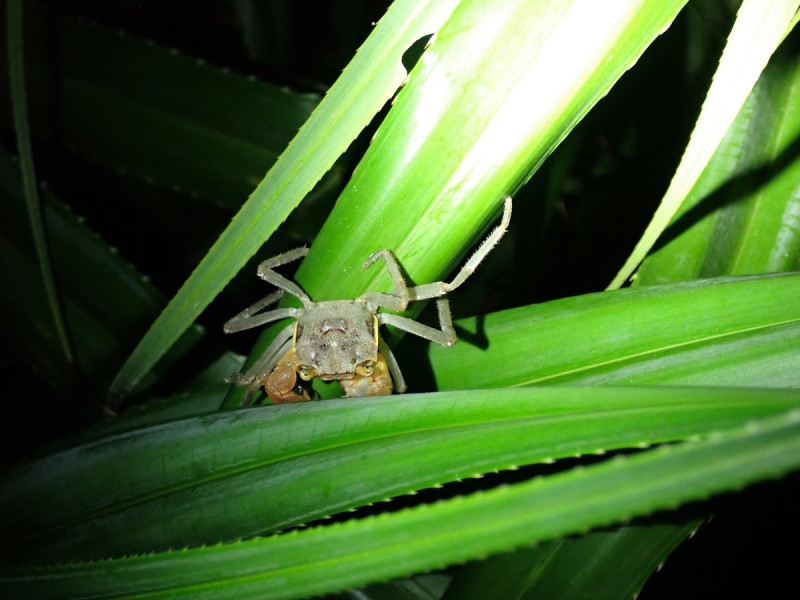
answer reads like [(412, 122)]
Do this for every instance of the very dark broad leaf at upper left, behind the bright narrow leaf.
[(152, 112)]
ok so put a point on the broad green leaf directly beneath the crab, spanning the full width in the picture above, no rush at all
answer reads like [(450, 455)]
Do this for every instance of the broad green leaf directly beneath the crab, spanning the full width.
[(231, 475)]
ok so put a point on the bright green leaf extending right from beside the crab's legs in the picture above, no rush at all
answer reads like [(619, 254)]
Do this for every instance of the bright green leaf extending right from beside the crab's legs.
[(728, 331)]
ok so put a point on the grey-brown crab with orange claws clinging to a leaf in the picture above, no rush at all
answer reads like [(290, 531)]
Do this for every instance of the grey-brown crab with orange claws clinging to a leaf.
[(339, 340)]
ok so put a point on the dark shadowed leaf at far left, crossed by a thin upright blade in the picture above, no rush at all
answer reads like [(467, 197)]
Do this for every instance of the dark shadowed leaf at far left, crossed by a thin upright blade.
[(104, 317)]
